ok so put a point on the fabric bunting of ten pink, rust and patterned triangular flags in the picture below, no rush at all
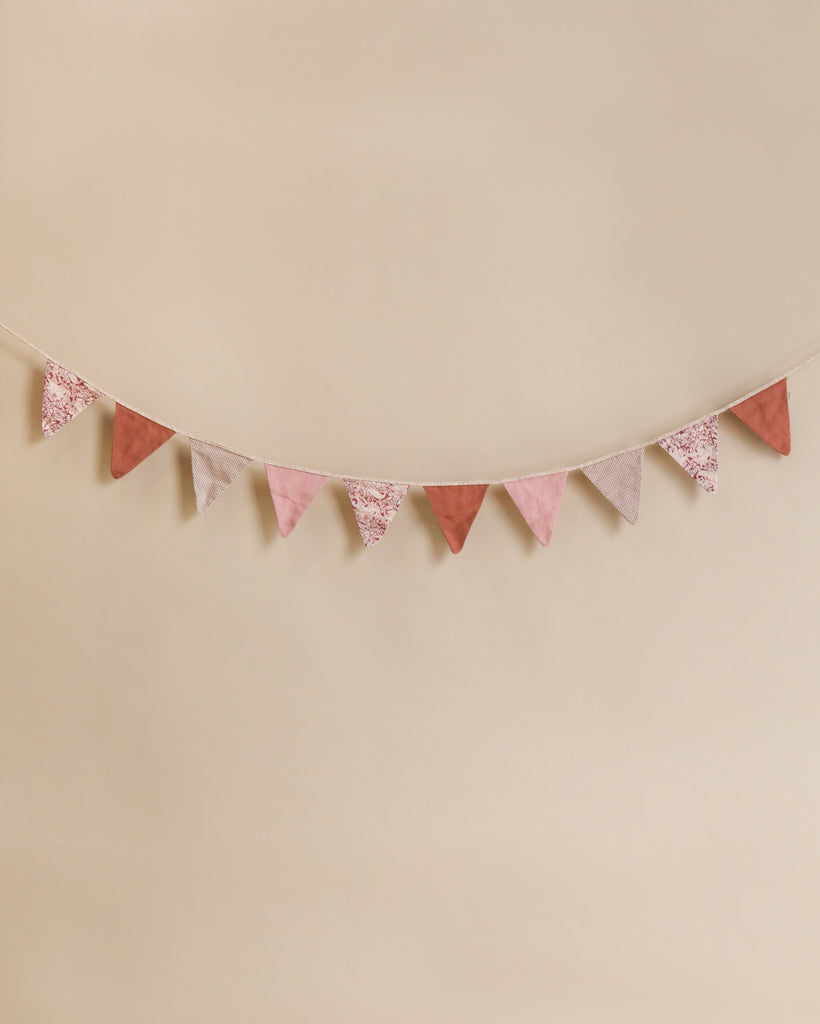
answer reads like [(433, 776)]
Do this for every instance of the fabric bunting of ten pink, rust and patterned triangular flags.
[(619, 478)]
